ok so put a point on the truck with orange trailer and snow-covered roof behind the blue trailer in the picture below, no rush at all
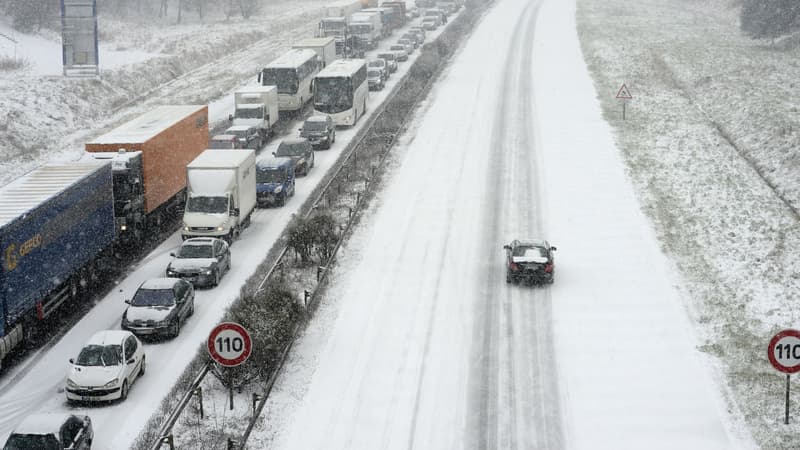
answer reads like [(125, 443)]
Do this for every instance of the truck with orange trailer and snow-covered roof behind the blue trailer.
[(149, 156)]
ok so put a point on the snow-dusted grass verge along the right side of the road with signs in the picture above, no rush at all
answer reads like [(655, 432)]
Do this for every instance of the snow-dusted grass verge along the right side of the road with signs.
[(730, 235)]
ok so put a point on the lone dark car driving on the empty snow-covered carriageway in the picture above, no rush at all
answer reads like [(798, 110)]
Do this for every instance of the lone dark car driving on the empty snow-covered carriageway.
[(529, 261)]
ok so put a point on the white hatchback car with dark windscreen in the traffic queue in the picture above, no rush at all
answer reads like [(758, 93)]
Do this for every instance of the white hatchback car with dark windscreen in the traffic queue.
[(106, 367)]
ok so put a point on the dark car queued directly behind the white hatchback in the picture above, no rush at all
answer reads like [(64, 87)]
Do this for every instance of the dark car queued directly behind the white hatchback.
[(160, 306)]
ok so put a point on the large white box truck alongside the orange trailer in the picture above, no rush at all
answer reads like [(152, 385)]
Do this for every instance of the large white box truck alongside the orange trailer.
[(221, 194)]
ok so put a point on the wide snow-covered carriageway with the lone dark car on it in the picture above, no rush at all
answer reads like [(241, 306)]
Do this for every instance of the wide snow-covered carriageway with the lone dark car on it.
[(420, 343)]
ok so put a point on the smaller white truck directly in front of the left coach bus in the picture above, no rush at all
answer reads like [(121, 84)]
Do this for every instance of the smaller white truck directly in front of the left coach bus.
[(256, 106)]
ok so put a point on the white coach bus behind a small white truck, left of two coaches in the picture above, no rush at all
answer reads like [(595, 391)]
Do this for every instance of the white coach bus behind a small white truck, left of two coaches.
[(292, 74)]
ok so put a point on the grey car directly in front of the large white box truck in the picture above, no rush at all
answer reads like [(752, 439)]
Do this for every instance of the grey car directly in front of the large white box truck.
[(202, 261)]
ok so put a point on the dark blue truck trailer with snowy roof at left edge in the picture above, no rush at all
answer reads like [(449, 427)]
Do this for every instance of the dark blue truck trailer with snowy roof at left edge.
[(56, 235)]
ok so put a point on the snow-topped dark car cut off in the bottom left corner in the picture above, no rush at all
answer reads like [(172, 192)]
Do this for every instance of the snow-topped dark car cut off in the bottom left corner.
[(52, 431)]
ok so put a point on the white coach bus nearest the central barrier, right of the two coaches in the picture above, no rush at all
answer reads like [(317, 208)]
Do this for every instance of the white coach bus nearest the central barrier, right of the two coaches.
[(341, 90)]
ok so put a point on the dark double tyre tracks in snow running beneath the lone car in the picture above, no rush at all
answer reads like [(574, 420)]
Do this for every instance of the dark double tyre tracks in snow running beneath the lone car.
[(514, 387)]
